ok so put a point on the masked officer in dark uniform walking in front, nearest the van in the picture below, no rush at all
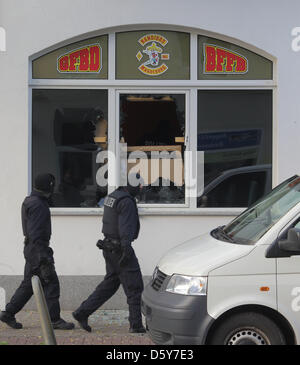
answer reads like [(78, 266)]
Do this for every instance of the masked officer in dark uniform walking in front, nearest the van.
[(120, 227)]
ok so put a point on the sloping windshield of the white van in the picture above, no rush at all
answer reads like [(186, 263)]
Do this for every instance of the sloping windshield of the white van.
[(252, 224)]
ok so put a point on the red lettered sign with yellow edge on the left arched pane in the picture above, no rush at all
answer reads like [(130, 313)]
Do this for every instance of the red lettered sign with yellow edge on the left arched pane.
[(87, 59)]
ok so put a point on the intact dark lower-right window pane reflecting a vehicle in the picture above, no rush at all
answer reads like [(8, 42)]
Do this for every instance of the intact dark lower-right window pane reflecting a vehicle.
[(235, 133)]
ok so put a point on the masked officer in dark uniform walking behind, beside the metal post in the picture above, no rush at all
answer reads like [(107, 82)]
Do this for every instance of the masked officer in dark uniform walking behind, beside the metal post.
[(36, 223)]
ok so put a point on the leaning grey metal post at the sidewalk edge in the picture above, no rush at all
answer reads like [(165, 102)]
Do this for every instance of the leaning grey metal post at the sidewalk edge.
[(47, 329)]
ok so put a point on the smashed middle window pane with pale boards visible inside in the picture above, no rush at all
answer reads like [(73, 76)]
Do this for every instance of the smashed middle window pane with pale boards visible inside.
[(154, 126)]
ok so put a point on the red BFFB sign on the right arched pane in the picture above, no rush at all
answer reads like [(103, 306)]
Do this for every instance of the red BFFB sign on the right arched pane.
[(221, 60)]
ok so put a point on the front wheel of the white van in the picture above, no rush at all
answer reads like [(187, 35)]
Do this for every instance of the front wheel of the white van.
[(247, 329)]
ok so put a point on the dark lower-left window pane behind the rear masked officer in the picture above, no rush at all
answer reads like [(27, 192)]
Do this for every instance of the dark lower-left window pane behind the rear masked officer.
[(69, 129)]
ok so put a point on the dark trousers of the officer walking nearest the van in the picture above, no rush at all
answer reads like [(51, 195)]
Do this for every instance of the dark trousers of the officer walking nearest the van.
[(129, 277)]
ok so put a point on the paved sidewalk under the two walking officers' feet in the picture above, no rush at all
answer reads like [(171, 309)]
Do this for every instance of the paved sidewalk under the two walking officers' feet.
[(109, 327)]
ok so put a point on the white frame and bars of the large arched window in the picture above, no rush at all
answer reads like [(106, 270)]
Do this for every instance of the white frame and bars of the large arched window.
[(189, 87)]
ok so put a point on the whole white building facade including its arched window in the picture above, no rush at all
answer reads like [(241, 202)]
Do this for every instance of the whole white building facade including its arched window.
[(199, 98)]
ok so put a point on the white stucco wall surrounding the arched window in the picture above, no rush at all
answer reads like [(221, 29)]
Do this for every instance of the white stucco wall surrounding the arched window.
[(34, 25)]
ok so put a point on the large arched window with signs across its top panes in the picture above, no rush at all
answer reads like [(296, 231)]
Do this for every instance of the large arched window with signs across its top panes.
[(147, 100)]
